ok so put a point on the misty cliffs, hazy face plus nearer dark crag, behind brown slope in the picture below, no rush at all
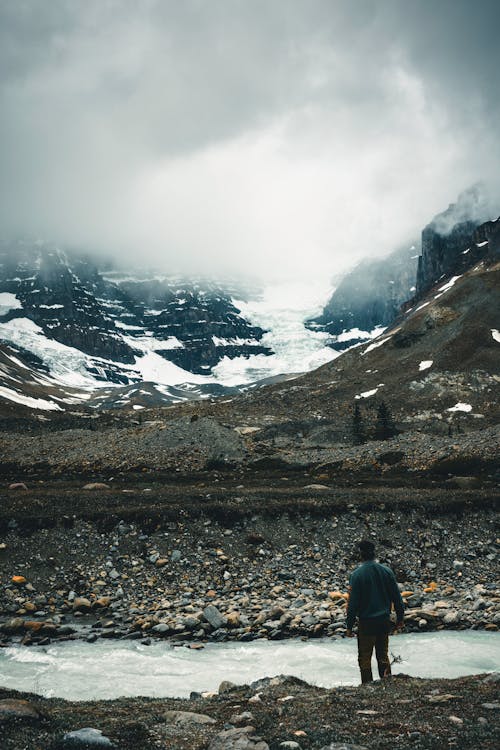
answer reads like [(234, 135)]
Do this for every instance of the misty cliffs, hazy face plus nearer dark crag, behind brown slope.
[(372, 294)]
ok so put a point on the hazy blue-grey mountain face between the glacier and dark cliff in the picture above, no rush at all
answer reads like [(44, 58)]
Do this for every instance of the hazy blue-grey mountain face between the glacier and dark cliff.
[(369, 297)]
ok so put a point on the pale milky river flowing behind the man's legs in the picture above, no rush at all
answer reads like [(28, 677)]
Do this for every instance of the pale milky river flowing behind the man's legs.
[(82, 671)]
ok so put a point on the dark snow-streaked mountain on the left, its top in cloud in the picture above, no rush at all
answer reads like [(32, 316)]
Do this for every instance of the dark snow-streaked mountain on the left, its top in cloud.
[(89, 324)]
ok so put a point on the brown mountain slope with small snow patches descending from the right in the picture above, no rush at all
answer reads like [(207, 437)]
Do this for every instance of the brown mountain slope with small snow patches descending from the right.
[(436, 369)]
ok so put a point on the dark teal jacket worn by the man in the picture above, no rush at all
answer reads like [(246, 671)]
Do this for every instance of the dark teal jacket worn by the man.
[(373, 590)]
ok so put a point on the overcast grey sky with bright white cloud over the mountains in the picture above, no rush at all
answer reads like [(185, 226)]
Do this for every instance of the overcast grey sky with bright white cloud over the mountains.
[(283, 137)]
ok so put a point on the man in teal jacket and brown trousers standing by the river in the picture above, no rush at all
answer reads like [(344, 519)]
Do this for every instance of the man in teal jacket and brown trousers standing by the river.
[(373, 589)]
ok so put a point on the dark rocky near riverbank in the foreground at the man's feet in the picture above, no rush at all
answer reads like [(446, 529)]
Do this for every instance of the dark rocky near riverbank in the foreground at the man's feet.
[(271, 714)]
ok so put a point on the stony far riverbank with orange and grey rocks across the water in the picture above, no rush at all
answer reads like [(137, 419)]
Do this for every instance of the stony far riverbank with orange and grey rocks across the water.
[(241, 563)]
